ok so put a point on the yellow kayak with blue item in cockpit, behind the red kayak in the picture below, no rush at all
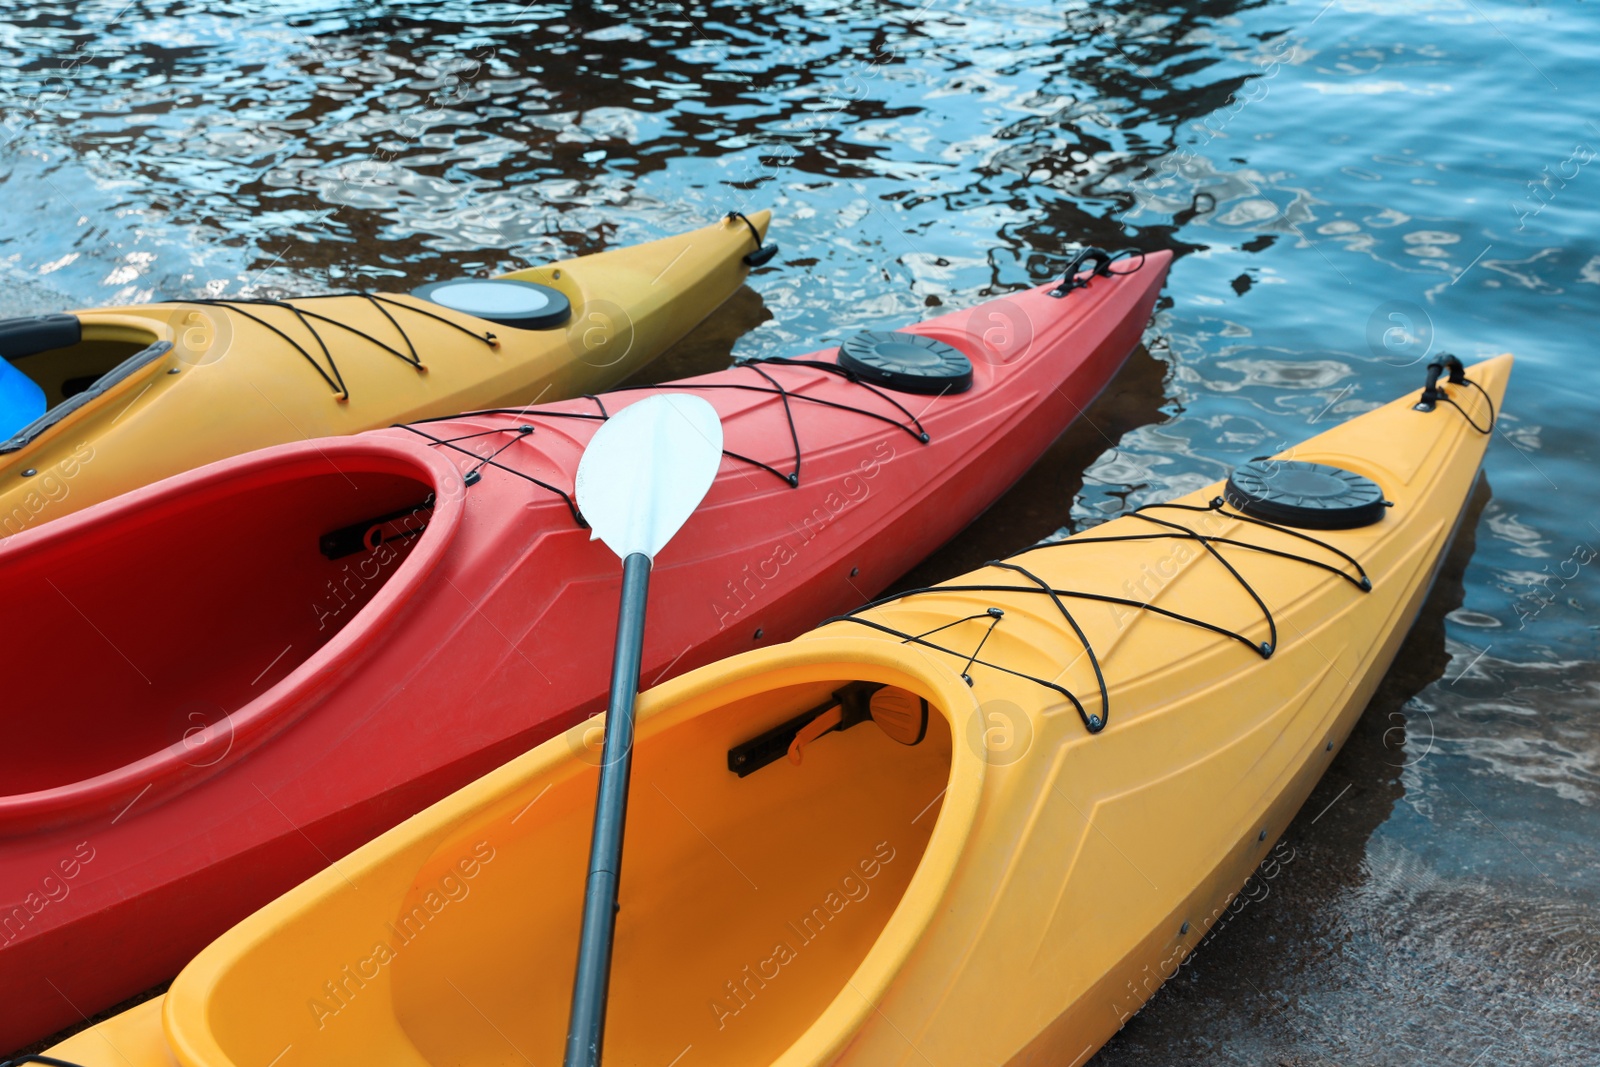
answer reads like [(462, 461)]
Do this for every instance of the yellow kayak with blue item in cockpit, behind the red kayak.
[(129, 396)]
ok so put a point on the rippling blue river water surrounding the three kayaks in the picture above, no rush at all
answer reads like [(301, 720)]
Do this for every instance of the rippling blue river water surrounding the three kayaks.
[(1350, 188)]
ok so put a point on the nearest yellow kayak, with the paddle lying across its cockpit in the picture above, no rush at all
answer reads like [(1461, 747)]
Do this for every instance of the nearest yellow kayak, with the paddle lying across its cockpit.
[(1074, 761)]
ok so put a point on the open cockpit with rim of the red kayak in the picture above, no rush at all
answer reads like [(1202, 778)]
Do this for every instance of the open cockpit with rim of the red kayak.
[(161, 636)]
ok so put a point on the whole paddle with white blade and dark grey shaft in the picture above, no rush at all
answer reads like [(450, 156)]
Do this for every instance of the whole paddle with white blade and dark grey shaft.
[(641, 479)]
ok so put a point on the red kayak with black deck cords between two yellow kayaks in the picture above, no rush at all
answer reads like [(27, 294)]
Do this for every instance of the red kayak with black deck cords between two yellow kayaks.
[(226, 681)]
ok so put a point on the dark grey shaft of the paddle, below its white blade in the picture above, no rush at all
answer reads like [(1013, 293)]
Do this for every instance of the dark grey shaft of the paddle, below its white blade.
[(606, 849)]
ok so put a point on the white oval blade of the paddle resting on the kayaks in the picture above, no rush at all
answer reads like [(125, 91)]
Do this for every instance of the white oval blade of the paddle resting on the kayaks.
[(647, 470)]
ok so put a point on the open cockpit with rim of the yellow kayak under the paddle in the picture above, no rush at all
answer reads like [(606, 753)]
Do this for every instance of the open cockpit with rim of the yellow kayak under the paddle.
[(751, 903)]
